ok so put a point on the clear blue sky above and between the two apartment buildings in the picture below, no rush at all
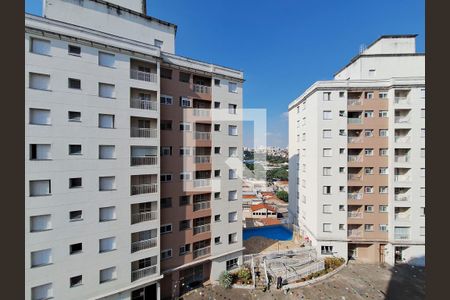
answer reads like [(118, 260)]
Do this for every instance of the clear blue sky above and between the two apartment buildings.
[(282, 46)]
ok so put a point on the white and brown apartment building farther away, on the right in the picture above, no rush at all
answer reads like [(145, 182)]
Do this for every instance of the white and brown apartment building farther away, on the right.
[(357, 151)]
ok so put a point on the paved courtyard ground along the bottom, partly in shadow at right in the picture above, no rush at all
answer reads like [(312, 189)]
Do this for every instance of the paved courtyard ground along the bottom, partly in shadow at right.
[(356, 281)]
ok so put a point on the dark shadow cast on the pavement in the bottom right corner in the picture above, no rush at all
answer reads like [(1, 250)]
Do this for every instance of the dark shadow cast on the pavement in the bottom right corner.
[(407, 281)]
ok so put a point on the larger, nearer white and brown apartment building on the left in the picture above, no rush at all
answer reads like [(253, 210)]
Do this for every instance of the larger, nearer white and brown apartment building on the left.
[(97, 102)]
